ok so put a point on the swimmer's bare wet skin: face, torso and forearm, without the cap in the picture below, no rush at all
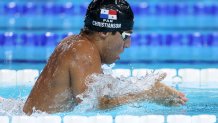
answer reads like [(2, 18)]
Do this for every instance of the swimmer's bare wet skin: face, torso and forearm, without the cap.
[(73, 60)]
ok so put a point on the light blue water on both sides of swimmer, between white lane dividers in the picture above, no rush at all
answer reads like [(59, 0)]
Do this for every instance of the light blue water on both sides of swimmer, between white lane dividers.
[(201, 101)]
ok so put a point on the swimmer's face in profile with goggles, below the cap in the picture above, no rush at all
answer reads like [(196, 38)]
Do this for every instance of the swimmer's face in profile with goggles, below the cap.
[(115, 45)]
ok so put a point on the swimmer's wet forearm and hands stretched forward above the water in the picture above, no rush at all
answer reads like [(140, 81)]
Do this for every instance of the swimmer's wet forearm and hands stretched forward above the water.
[(159, 93)]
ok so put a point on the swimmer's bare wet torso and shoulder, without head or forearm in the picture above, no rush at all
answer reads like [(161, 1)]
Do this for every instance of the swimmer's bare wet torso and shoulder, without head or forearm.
[(64, 76)]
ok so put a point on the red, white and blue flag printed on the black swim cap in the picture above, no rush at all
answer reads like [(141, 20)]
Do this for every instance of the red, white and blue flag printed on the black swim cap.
[(108, 14)]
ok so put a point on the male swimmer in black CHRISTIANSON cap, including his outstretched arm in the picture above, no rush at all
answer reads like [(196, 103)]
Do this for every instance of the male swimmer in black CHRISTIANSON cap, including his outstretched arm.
[(107, 30)]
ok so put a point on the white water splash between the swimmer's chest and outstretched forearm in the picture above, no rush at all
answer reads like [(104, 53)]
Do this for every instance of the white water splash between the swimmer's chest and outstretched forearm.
[(99, 85)]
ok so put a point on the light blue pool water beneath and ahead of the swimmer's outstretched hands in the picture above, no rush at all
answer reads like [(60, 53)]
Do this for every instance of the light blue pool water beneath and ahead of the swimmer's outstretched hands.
[(201, 101)]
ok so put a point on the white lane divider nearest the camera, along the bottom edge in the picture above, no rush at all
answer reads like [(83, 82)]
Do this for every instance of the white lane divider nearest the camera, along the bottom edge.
[(109, 119)]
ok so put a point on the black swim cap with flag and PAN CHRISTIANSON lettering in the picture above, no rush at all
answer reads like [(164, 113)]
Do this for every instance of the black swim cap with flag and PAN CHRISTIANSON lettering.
[(109, 16)]
